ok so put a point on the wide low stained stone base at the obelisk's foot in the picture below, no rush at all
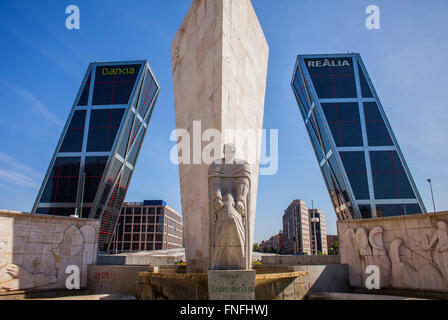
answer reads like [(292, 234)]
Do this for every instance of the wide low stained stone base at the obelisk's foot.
[(190, 286)]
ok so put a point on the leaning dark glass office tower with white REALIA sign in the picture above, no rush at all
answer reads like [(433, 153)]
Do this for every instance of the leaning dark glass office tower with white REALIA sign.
[(360, 159)]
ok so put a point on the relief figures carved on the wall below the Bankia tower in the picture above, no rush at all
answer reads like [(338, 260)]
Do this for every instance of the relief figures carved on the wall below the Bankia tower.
[(77, 247)]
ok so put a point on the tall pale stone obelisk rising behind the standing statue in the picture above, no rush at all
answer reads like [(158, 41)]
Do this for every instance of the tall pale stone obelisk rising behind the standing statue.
[(219, 60)]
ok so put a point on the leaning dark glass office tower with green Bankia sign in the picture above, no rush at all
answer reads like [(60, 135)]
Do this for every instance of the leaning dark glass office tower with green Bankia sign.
[(92, 166)]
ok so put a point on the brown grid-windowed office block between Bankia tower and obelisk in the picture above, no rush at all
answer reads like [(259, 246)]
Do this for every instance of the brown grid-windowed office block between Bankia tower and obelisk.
[(146, 226)]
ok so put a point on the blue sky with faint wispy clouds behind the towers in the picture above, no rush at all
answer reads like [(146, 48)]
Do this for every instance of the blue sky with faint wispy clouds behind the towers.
[(42, 65)]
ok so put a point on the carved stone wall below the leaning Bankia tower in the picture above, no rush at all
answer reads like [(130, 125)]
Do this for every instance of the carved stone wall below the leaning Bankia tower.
[(36, 249)]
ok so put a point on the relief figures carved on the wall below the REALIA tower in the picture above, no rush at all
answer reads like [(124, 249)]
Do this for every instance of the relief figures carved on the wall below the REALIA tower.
[(422, 263)]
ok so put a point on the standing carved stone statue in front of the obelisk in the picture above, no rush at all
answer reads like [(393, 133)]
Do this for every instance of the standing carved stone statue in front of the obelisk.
[(229, 190)]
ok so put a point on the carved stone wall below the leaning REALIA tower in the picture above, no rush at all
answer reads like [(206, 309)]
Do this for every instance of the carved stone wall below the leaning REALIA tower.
[(410, 251)]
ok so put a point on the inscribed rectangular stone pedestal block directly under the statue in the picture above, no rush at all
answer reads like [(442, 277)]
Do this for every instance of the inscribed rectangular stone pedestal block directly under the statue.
[(231, 284)]
